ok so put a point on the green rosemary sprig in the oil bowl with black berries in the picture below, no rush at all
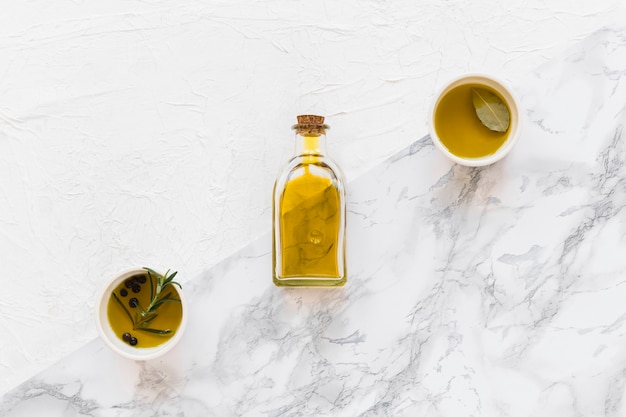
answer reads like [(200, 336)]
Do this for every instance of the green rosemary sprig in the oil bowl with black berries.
[(144, 316)]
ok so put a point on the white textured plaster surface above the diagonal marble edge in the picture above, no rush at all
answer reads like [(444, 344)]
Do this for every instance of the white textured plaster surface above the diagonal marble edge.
[(150, 132)]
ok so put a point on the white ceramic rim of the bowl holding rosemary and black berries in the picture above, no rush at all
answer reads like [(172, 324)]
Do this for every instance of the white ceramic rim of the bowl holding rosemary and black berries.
[(114, 342)]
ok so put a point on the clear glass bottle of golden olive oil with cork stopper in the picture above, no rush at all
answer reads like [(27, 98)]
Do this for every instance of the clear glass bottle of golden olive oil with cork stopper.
[(309, 214)]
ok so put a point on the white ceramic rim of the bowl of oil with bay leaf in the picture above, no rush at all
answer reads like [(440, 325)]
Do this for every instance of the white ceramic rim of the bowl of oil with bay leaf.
[(512, 102)]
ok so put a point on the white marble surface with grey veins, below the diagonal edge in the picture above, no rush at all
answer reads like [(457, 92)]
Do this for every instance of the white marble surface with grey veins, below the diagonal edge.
[(493, 291)]
